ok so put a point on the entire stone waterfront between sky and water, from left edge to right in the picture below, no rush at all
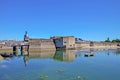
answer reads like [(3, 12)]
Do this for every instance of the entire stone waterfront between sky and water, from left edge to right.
[(53, 43)]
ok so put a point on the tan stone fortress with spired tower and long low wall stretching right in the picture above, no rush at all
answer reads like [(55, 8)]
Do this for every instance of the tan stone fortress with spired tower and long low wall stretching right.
[(64, 42)]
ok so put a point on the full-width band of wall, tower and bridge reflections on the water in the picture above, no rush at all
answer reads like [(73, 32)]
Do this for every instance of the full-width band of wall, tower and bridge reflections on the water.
[(61, 55)]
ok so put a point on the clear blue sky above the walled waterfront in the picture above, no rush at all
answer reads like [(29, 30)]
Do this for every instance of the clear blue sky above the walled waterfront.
[(86, 19)]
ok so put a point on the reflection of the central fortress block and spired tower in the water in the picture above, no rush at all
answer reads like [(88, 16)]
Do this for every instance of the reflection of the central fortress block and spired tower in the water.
[(60, 55)]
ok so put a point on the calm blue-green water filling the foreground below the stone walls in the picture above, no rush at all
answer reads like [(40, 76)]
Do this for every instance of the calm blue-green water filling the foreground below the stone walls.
[(62, 65)]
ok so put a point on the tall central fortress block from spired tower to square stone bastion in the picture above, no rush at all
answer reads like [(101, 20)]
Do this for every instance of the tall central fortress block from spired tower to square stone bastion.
[(62, 42)]
